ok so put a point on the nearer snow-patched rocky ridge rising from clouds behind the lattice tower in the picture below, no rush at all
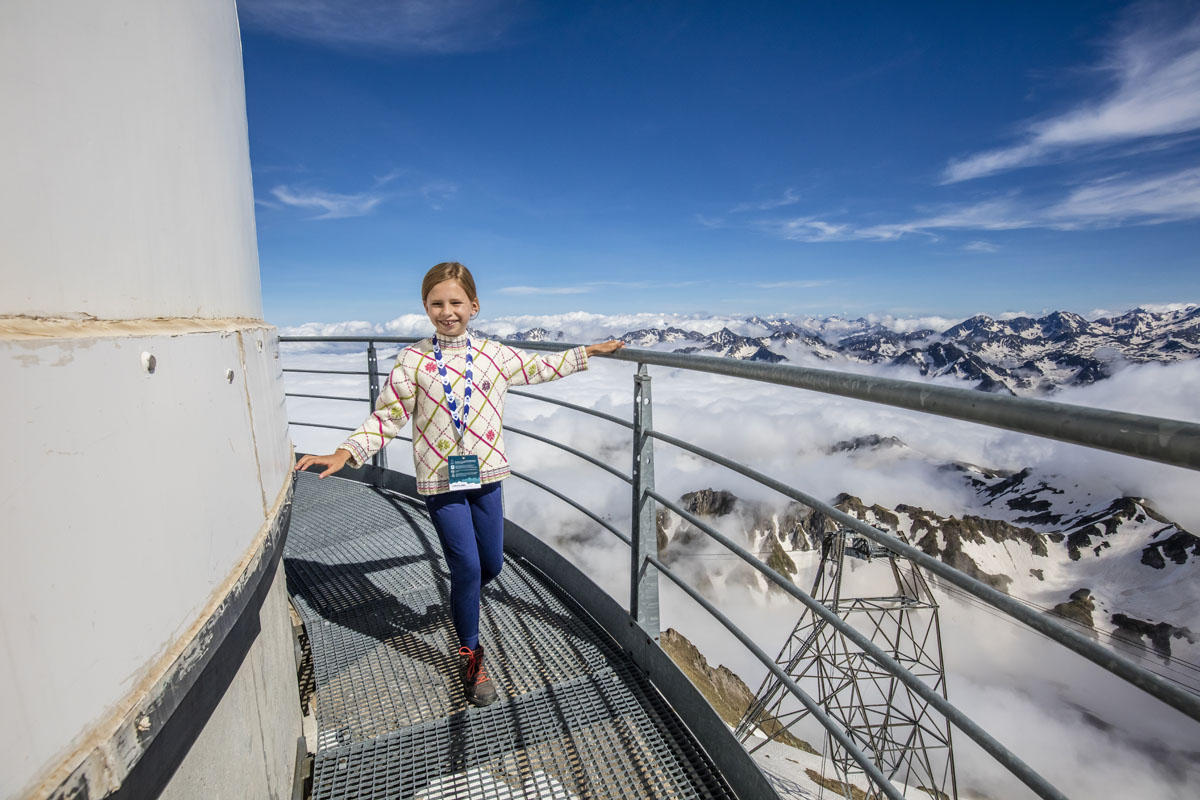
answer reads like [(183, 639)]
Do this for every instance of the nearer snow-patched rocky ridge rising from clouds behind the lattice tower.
[(1113, 564)]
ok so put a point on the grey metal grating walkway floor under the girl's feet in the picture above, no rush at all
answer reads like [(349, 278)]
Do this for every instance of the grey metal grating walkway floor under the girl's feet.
[(577, 719)]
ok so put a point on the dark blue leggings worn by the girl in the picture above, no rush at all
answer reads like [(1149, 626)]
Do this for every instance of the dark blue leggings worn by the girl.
[(471, 526)]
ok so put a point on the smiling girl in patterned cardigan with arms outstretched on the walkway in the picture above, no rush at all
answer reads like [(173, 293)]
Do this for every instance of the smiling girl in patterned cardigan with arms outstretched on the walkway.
[(453, 387)]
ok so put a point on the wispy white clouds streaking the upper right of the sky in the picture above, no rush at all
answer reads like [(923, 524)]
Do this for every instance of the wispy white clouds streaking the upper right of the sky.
[(1154, 104)]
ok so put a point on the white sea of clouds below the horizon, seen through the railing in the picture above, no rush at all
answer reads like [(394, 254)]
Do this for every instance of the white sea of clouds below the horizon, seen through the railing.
[(1088, 732)]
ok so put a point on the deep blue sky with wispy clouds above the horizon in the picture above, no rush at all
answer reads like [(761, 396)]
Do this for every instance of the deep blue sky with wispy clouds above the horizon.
[(752, 158)]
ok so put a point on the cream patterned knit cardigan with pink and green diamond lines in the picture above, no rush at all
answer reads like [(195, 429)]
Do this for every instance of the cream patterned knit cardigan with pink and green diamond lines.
[(415, 390)]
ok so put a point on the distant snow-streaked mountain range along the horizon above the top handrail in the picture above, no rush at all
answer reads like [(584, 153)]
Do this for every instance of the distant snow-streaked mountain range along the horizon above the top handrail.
[(1016, 356)]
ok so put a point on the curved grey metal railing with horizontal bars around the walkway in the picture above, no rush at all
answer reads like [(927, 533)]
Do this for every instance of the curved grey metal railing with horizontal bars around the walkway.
[(1163, 441)]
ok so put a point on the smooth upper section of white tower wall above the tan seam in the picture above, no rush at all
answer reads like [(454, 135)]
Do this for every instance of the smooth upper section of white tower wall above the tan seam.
[(127, 170)]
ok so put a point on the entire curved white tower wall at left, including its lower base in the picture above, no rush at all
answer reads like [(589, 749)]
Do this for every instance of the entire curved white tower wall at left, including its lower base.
[(140, 503)]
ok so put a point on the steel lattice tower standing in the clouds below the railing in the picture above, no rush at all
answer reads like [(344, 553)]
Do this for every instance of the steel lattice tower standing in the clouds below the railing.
[(909, 741)]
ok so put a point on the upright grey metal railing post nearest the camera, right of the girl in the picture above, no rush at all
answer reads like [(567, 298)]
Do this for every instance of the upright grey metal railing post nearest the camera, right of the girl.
[(644, 601)]
